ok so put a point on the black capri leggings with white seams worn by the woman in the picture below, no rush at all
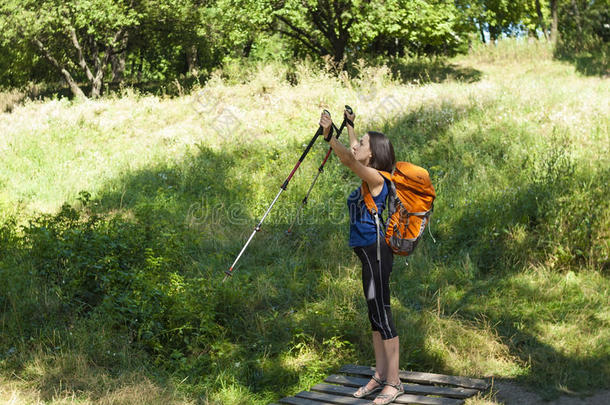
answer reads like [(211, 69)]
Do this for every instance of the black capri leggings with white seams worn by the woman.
[(376, 285)]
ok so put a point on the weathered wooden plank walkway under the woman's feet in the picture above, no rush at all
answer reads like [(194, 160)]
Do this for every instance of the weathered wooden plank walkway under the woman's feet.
[(420, 388)]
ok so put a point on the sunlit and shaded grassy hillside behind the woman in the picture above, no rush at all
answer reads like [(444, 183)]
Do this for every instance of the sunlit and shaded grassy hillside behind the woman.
[(121, 214)]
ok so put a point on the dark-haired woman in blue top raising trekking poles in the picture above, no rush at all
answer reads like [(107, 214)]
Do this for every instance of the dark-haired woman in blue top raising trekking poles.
[(373, 152)]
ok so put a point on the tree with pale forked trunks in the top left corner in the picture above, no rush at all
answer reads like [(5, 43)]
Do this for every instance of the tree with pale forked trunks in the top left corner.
[(71, 35)]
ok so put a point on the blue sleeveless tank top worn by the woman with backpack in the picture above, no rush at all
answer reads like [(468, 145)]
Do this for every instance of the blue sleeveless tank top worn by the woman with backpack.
[(362, 227)]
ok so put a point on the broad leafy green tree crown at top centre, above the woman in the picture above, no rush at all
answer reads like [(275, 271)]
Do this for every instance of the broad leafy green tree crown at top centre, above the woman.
[(356, 28)]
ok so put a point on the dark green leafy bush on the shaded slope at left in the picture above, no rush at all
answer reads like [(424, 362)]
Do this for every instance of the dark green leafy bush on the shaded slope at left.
[(126, 272)]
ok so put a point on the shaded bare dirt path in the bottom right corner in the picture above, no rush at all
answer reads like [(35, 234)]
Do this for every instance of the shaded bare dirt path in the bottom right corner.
[(512, 394)]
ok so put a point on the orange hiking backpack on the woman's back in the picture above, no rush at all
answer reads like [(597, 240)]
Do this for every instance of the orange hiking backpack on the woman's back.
[(411, 197)]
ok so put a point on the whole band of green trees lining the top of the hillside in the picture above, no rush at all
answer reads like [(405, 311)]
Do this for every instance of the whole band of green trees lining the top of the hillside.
[(87, 43)]
